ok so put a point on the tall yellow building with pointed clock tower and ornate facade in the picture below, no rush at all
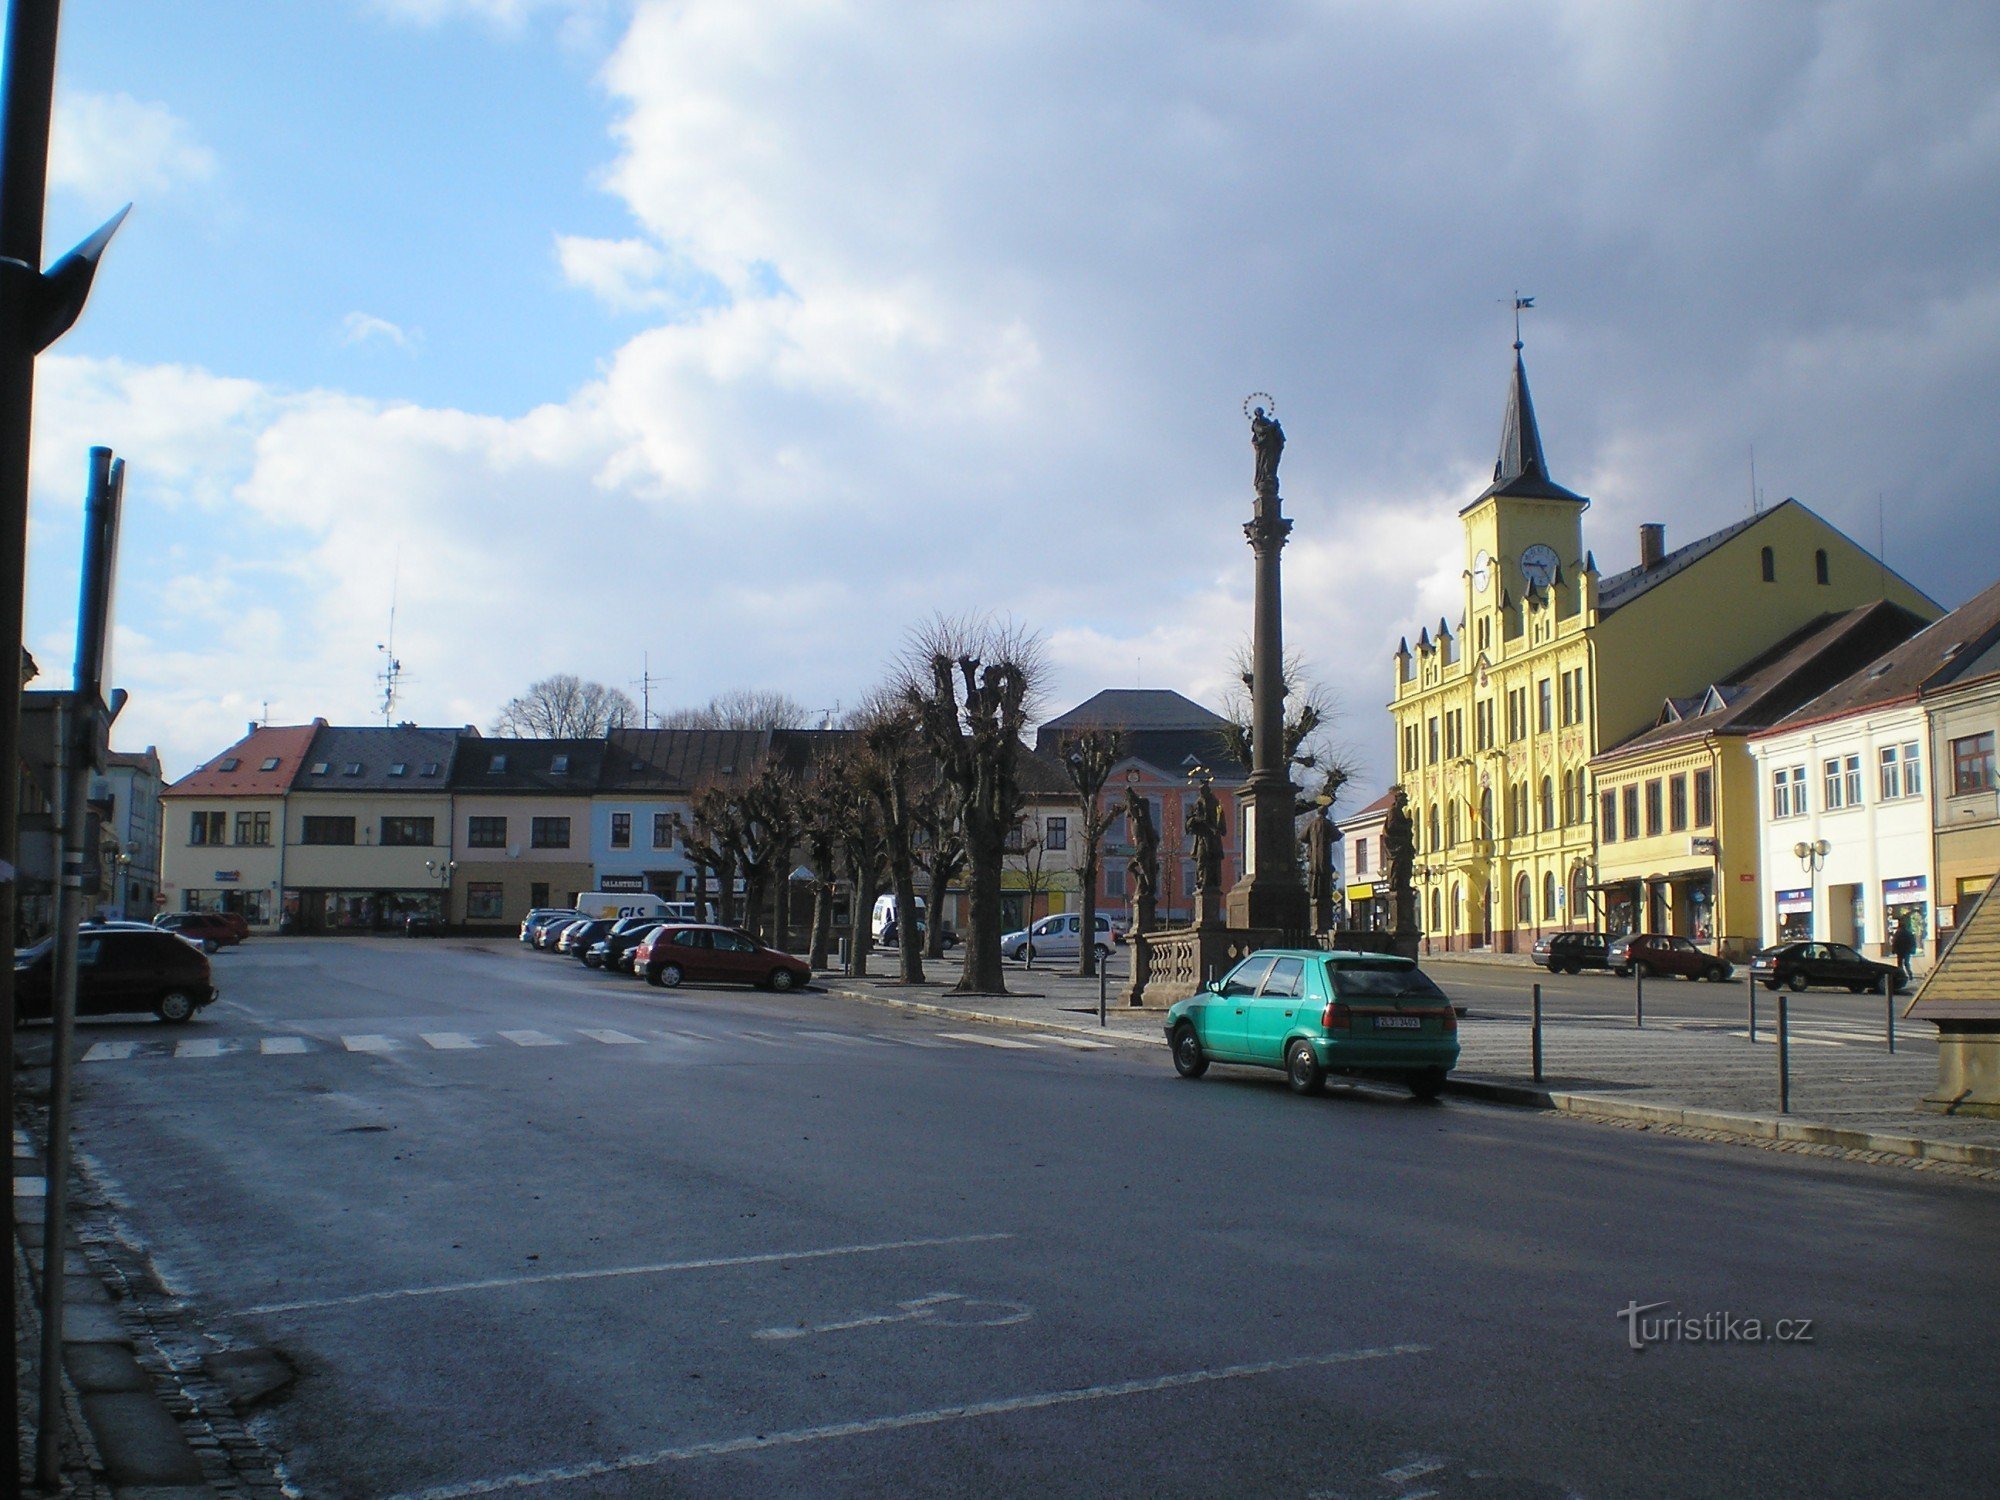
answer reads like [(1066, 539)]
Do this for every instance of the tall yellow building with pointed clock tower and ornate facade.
[(1499, 721)]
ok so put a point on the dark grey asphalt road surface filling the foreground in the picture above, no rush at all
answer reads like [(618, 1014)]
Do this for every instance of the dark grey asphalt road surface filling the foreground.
[(529, 1229)]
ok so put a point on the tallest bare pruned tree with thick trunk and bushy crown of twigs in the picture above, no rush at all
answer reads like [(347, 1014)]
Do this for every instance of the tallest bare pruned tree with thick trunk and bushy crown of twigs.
[(973, 687)]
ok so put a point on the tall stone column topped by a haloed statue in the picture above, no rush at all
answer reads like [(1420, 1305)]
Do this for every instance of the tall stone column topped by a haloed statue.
[(1271, 893)]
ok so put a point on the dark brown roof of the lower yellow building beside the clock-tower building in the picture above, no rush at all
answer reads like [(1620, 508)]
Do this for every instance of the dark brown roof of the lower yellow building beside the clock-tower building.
[(1777, 681)]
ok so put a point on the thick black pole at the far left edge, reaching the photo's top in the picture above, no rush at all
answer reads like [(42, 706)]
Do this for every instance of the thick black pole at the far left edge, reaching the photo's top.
[(31, 89)]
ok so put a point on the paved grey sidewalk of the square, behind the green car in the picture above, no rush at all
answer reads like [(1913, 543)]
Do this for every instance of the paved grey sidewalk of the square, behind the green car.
[(1847, 1091)]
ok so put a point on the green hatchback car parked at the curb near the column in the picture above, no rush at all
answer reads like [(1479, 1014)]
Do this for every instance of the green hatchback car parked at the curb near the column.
[(1315, 1013)]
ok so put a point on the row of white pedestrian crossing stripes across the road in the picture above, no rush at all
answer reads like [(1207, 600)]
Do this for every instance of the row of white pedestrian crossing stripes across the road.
[(563, 1037)]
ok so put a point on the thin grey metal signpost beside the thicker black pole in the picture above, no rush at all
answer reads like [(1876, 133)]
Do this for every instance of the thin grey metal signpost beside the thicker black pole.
[(81, 723)]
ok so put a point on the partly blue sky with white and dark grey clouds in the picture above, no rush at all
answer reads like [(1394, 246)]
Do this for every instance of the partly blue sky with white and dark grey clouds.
[(733, 343)]
